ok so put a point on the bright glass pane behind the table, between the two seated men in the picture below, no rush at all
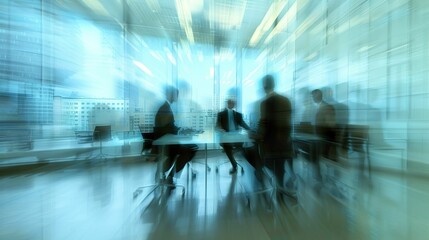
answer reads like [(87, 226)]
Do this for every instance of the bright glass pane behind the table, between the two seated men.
[(196, 83)]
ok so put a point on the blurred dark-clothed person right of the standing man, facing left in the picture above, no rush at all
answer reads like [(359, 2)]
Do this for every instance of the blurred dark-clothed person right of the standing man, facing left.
[(325, 125)]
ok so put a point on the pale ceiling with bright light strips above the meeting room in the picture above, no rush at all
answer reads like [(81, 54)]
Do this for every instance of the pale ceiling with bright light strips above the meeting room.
[(221, 22)]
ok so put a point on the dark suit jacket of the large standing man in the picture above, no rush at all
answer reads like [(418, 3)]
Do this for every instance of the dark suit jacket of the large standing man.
[(274, 128)]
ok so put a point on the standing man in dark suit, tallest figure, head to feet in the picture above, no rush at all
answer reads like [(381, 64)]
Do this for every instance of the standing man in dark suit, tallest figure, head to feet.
[(274, 131)]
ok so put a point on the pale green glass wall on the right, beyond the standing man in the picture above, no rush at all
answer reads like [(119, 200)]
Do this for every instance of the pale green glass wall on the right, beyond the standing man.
[(369, 56)]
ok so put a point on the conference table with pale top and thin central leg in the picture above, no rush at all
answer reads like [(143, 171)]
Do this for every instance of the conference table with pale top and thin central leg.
[(205, 138)]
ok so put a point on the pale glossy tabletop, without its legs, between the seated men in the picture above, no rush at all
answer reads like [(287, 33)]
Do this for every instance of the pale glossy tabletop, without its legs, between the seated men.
[(204, 138)]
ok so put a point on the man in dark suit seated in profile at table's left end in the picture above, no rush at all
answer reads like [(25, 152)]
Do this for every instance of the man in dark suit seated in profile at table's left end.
[(164, 124)]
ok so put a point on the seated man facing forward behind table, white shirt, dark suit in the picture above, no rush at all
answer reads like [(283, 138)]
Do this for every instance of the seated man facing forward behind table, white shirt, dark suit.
[(230, 120)]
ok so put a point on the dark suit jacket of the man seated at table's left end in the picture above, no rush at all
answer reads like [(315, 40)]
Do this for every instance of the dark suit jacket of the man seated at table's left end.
[(164, 121)]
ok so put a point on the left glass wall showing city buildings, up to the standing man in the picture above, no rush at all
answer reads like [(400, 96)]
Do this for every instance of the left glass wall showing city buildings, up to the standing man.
[(64, 72)]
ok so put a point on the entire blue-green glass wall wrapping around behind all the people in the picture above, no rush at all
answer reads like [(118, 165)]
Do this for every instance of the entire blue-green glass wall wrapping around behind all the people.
[(64, 71)]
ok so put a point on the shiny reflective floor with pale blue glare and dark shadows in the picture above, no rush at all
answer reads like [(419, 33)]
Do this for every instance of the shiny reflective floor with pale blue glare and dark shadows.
[(95, 201)]
